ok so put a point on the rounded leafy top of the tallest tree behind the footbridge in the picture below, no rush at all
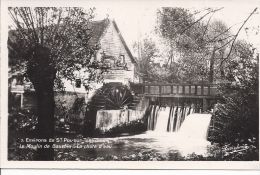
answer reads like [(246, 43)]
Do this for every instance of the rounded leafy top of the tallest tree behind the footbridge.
[(180, 28)]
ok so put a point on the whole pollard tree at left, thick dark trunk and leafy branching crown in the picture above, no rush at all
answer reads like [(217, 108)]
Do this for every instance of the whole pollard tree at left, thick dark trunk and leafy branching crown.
[(48, 45)]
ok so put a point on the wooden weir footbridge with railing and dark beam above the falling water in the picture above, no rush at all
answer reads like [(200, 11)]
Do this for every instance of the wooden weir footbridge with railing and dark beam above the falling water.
[(202, 95)]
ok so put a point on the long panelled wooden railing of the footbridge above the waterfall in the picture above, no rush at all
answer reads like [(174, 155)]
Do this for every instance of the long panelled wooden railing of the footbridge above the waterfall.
[(176, 89)]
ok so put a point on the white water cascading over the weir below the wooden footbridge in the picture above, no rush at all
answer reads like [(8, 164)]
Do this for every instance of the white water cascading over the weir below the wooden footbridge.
[(187, 131)]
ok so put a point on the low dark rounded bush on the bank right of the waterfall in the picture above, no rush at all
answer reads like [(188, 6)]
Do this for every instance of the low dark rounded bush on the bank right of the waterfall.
[(235, 120)]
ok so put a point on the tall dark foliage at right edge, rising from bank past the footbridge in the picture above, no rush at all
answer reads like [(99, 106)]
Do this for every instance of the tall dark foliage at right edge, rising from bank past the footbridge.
[(236, 118)]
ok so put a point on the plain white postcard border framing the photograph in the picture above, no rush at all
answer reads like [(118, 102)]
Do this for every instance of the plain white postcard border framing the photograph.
[(98, 164)]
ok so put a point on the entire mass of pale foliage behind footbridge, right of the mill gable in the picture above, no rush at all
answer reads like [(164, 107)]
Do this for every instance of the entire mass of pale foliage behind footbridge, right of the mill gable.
[(190, 47)]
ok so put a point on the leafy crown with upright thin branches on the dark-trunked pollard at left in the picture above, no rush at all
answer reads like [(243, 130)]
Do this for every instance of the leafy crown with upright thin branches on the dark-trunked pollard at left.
[(65, 32)]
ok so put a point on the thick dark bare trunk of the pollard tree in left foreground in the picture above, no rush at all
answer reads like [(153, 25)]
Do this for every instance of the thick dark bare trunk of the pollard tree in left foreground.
[(41, 72)]
